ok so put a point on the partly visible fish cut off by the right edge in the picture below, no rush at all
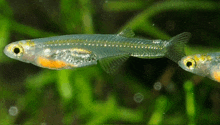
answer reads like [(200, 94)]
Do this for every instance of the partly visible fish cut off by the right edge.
[(206, 65)]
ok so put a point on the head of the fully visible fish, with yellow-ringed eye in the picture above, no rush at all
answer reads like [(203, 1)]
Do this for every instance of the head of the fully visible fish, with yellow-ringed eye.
[(23, 50)]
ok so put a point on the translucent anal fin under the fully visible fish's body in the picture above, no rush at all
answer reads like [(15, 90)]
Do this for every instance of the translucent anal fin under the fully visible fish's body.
[(112, 64)]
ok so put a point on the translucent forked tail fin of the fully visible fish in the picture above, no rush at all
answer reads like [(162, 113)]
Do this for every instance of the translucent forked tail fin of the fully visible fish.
[(175, 49)]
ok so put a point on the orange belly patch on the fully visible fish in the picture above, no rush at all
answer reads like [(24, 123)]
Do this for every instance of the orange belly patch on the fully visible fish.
[(52, 64)]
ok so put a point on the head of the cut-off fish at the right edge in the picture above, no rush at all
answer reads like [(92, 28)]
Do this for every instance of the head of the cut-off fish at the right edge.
[(197, 64)]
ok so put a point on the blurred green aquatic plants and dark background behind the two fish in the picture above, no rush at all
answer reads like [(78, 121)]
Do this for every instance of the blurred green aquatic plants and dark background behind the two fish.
[(142, 91)]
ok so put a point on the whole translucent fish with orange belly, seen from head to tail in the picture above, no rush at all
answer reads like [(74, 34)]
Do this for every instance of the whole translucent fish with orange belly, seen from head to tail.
[(79, 50)]
